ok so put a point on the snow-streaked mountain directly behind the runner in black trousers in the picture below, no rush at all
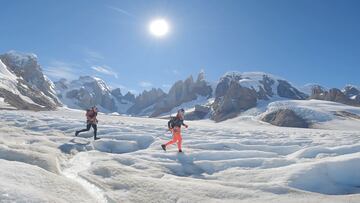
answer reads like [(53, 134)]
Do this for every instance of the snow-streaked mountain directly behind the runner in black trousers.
[(89, 91)]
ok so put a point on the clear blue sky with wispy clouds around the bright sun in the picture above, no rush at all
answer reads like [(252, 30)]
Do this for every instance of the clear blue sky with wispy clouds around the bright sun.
[(304, 41)]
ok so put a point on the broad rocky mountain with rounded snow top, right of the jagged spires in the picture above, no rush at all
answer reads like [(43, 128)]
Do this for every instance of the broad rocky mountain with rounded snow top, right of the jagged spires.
[(237, 92)]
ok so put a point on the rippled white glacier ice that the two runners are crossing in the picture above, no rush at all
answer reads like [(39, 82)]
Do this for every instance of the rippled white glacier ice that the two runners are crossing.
[(239, 160)]
